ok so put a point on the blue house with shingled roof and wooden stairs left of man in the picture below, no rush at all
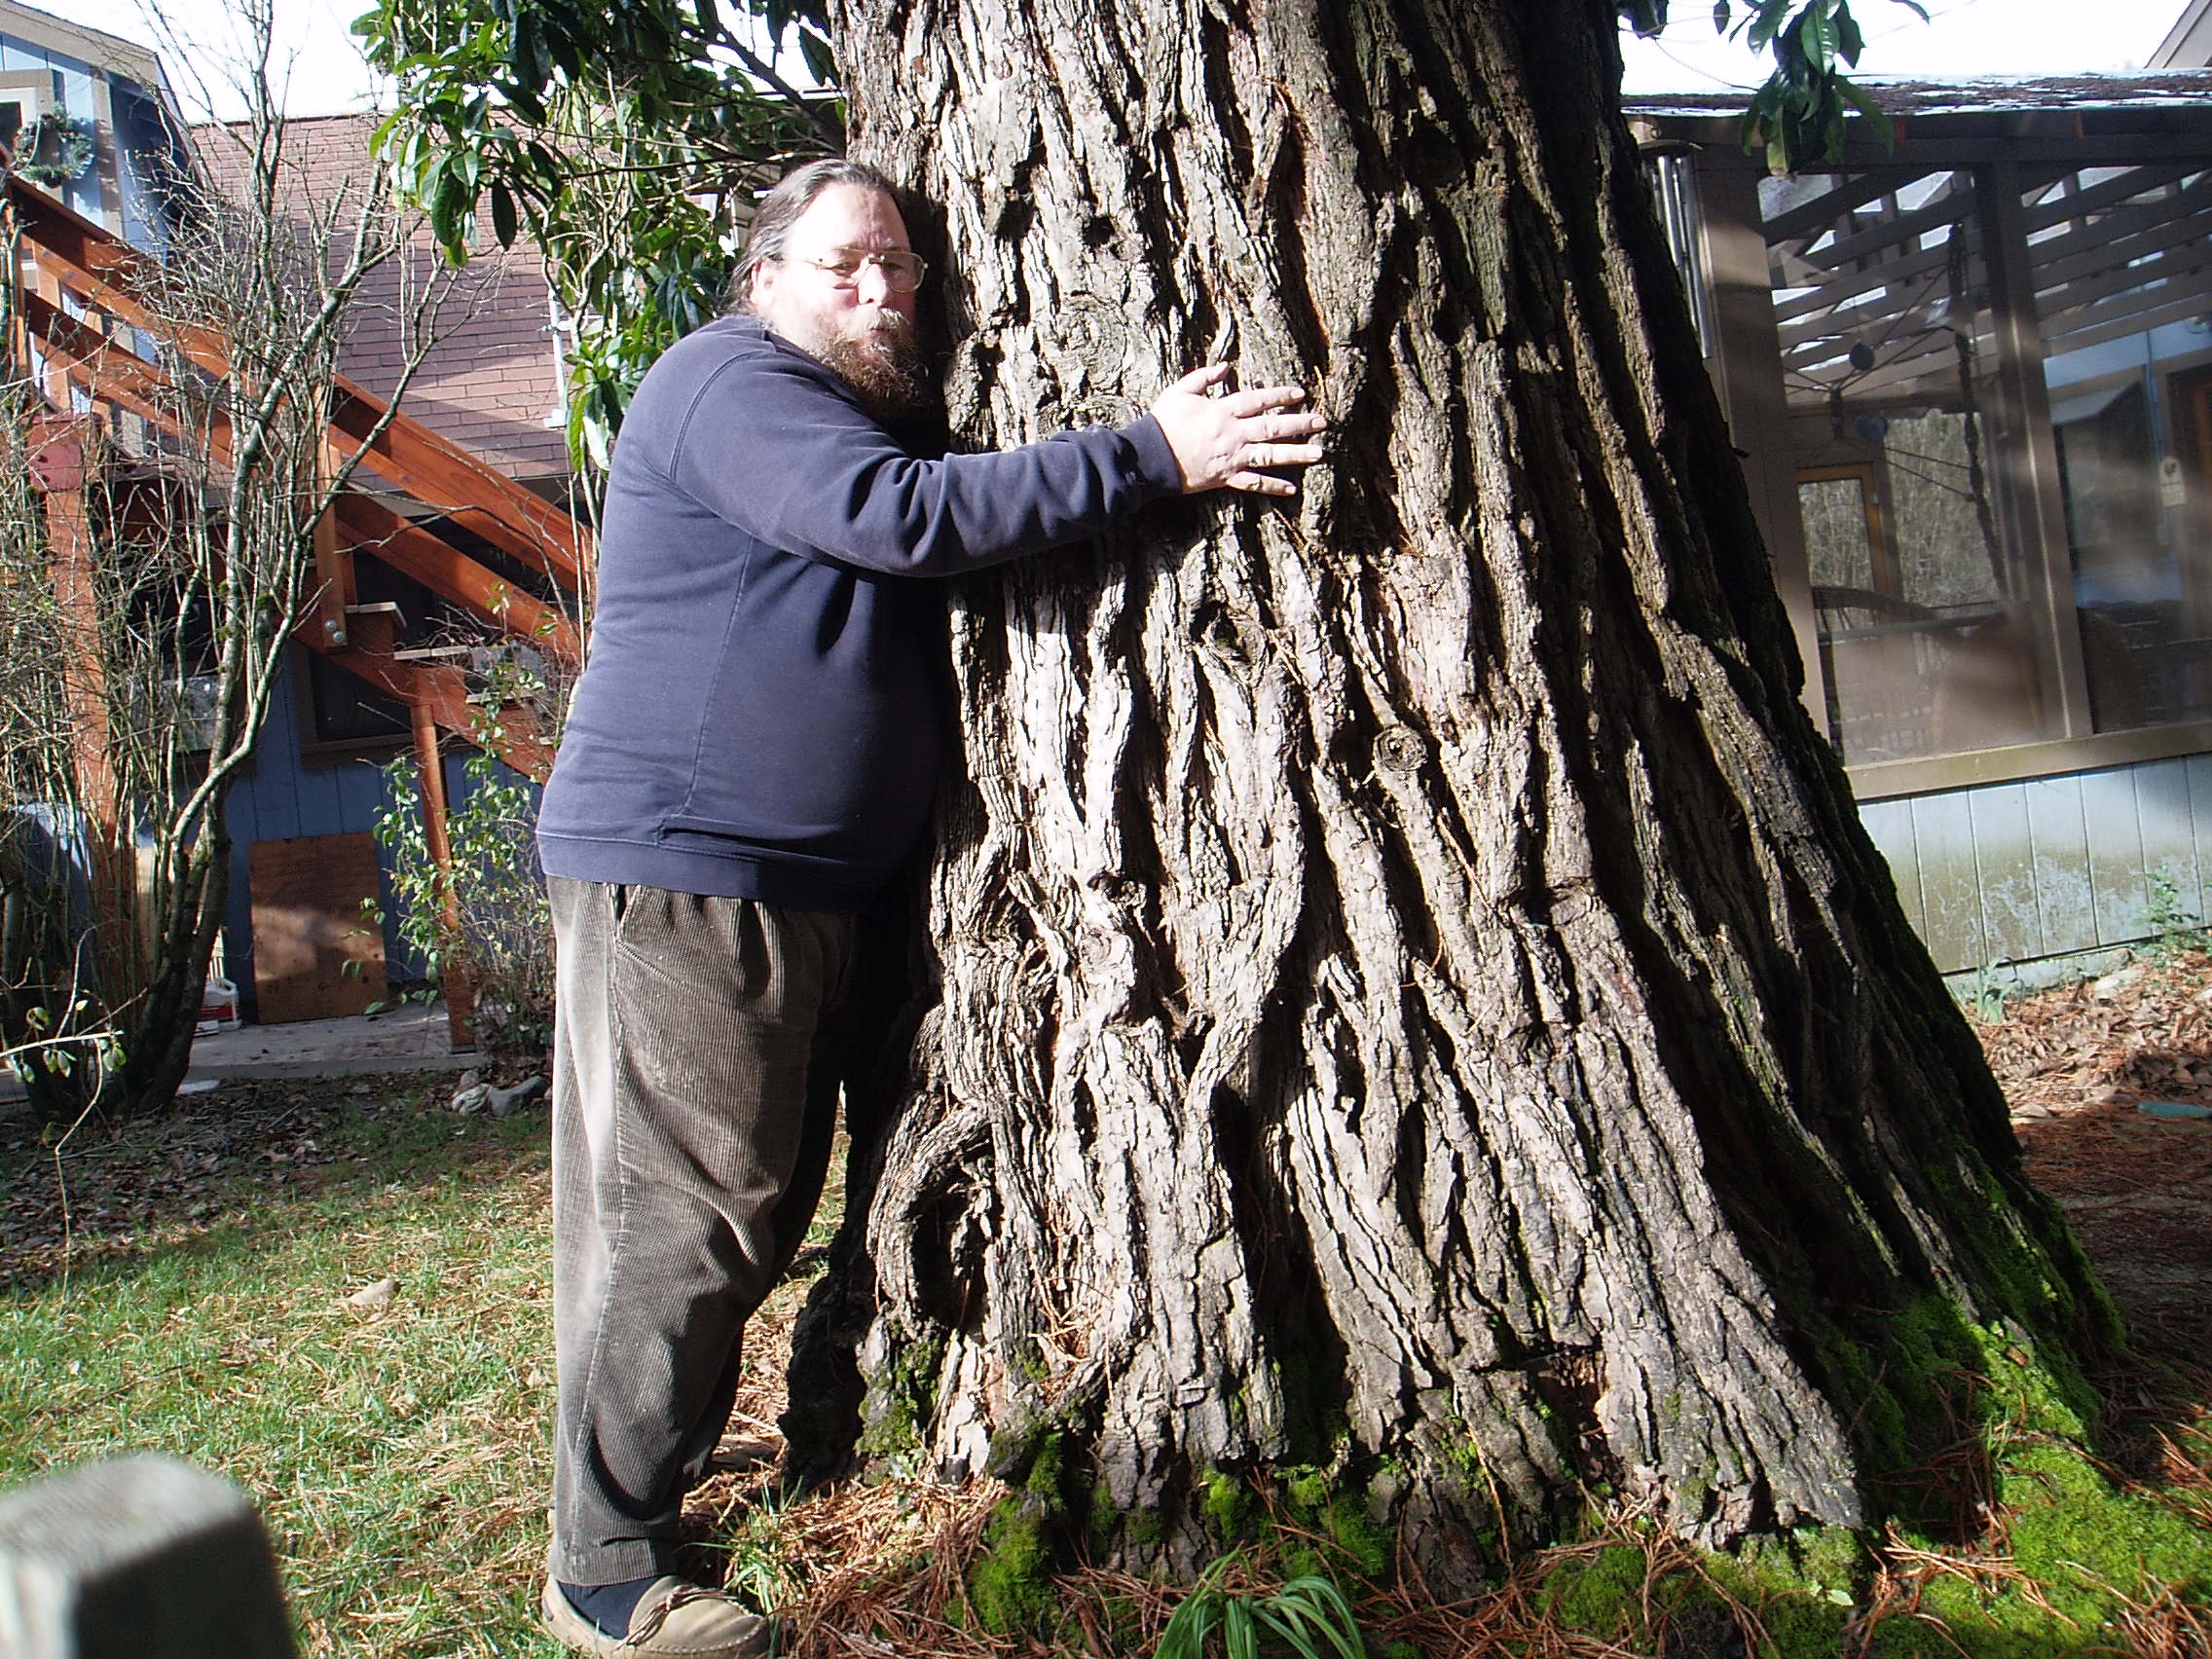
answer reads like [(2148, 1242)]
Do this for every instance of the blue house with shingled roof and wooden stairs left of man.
[(450, 543)]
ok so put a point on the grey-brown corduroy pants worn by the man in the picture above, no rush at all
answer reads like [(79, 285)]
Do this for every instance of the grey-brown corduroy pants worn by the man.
[(696, 1070)]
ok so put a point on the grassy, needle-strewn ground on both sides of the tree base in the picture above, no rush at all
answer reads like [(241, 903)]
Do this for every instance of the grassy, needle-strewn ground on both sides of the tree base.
[(337, 1295)]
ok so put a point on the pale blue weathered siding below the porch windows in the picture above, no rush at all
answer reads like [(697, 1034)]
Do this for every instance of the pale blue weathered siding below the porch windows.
[(2021, 873)]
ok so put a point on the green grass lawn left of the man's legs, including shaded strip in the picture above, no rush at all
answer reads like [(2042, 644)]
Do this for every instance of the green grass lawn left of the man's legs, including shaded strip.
[(205, 1308)]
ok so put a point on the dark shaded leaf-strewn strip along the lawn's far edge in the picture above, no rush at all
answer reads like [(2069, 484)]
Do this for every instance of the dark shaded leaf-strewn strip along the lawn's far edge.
[(242, 1165)]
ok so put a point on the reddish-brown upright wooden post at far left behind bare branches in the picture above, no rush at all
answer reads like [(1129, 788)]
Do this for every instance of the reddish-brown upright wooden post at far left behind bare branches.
[(65, 459)]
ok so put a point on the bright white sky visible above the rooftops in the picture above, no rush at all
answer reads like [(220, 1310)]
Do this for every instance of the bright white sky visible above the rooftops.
[(1965, 39)]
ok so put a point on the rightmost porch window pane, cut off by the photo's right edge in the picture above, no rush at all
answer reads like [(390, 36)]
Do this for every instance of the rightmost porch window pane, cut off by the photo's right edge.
[(2122, 293)]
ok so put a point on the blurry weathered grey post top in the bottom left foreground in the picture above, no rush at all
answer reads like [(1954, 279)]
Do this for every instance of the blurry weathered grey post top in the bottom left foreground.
[(138, 1558)]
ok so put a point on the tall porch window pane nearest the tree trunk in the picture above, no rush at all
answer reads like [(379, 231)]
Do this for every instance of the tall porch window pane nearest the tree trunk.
[(1881, 304)]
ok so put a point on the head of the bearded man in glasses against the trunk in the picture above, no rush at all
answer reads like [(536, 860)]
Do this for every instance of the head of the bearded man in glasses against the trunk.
[(855, 324)]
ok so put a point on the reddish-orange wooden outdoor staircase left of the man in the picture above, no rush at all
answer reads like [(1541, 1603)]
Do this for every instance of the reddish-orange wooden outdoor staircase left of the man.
[(76, 293)]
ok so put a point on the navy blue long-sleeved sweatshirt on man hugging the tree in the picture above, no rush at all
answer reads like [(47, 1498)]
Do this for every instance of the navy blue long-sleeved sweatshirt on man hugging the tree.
[(762, 713)]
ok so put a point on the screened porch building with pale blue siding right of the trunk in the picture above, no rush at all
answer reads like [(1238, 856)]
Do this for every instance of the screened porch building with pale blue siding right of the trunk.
[(1972, 379)]
